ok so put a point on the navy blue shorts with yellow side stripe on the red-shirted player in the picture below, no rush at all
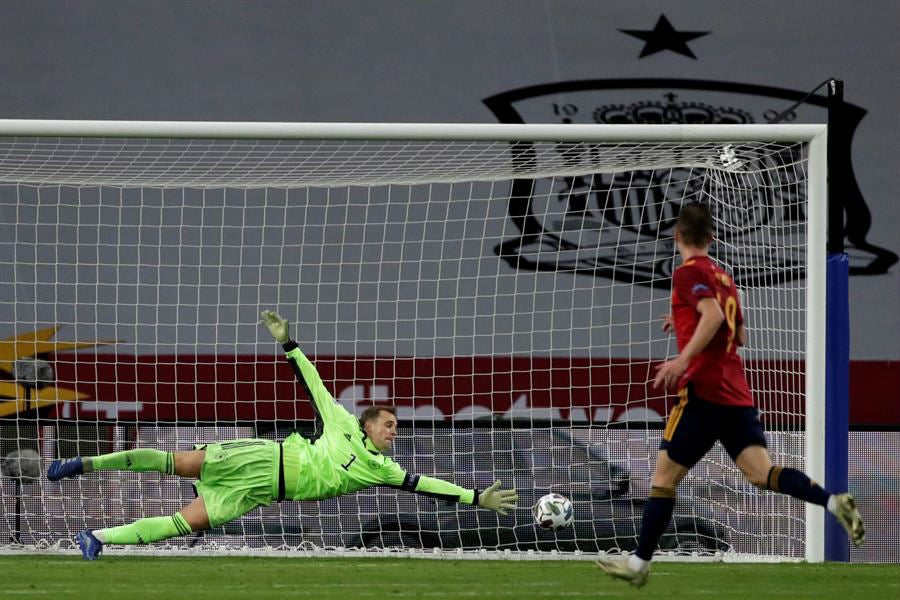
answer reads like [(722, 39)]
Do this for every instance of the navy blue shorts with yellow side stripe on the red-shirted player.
[(694, 425)]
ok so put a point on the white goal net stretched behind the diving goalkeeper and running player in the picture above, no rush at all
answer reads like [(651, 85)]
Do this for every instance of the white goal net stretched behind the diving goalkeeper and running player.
[(502, 286)]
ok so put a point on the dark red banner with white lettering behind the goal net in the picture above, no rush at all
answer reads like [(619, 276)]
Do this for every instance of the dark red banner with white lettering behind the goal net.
[(188, 388)]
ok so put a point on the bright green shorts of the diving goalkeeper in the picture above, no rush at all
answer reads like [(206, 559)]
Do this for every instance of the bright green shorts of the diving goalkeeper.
[(237, 477)]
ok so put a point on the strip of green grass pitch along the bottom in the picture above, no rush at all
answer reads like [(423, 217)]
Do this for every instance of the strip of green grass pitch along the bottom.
[(250, 578)]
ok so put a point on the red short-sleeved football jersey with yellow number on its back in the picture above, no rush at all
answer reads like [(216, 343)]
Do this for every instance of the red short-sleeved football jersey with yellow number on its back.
[(717, 373)]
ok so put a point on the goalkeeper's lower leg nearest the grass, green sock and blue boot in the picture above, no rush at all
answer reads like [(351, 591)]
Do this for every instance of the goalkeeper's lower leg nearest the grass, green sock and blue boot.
[(192, 517)]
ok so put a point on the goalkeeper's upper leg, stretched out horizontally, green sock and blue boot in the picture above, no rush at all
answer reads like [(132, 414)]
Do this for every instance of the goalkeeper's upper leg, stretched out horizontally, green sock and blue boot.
[(185, 464)]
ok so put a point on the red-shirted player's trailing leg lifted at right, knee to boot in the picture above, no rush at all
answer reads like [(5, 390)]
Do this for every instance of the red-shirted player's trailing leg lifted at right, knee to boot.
[(756, 465)]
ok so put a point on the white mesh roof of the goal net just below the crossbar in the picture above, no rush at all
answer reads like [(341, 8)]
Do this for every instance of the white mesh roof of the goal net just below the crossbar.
[(334, 163)]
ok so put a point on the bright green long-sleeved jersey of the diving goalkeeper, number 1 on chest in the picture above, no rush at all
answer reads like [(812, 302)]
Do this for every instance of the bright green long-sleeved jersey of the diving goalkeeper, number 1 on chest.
[(342, 459)]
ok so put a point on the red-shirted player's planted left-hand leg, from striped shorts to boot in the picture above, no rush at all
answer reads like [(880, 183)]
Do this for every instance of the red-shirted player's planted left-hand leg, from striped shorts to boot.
[(687, 437)]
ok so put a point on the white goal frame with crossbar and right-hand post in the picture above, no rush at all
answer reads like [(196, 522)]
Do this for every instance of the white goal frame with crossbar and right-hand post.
[(816, 135)]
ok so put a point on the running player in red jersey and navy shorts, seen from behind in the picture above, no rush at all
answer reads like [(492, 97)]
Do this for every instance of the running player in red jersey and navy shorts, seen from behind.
[(714, 399)]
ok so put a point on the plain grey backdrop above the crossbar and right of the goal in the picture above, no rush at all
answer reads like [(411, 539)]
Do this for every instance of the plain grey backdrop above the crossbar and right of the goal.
[(437, 61)]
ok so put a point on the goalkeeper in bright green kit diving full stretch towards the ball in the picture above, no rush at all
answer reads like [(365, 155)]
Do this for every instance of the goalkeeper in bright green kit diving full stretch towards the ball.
[(238, 476)]
